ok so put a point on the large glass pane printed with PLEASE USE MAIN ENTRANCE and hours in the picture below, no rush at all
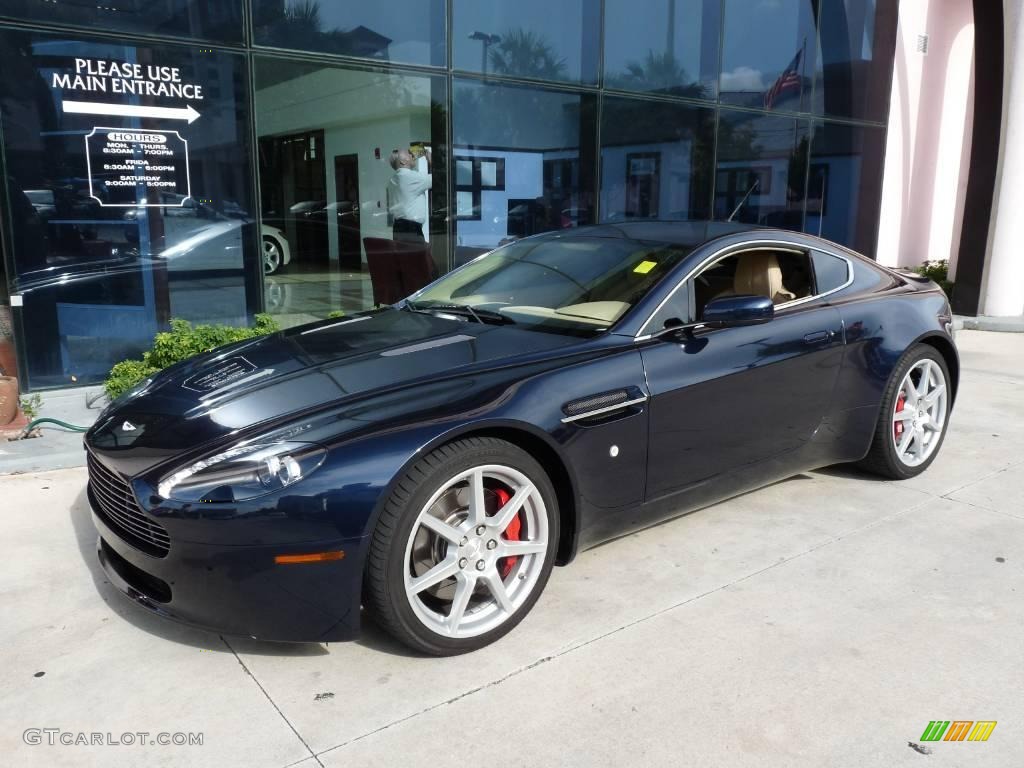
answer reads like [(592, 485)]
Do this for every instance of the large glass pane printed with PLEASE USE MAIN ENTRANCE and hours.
[(130, 195)]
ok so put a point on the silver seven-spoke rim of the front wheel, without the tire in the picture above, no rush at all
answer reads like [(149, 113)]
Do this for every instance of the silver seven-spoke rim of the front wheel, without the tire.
[(459, 579)]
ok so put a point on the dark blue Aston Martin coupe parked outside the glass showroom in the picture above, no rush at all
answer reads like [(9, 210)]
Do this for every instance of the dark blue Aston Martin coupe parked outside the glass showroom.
[(431, 462)]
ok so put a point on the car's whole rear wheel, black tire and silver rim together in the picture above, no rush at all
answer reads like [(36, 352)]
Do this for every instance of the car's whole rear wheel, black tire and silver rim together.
[(915, 413)]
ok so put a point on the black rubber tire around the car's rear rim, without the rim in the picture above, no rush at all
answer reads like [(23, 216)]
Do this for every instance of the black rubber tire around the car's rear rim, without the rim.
[(882, 459)]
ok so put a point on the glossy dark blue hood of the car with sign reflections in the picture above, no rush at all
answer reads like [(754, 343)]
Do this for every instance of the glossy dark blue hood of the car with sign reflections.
[(291, 372)]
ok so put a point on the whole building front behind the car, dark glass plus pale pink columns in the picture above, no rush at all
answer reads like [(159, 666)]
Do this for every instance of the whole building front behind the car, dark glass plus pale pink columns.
[(773, 113)]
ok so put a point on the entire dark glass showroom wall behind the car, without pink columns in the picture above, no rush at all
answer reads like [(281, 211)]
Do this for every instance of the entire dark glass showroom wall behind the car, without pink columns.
[(564, 113)]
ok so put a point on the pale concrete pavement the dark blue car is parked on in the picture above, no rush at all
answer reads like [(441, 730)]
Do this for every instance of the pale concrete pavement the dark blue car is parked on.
[(824, 621)]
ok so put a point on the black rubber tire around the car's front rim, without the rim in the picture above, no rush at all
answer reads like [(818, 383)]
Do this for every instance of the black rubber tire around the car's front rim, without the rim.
[(385, 586)]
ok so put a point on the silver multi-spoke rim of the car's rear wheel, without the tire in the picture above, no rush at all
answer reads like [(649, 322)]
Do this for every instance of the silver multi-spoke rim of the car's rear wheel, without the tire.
[(920, 413)]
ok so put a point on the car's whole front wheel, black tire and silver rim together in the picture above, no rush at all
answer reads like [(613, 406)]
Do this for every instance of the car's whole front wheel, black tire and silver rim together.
[(463, 548)]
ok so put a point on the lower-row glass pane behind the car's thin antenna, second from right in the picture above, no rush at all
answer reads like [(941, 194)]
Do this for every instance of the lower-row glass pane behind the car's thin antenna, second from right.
[(761, 168)]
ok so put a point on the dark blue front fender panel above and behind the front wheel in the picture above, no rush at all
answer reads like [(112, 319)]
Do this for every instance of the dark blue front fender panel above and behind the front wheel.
[(592, 483)]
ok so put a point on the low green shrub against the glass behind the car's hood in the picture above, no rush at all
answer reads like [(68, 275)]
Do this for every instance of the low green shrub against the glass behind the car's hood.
[(184, 342)]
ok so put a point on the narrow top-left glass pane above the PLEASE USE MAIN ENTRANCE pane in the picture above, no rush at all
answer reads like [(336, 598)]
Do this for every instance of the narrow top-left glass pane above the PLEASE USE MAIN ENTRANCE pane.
[(202, 20)]
